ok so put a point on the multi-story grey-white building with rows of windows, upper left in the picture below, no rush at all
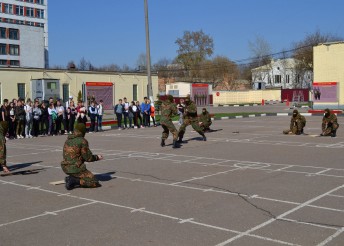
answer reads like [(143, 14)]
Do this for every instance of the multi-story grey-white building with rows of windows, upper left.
[(24, 33)]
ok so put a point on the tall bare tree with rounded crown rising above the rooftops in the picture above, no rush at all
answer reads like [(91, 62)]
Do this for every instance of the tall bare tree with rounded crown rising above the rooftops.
[(194, 48)]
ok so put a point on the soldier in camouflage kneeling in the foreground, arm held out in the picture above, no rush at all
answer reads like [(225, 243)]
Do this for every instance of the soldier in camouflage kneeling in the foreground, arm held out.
[(75, 153)]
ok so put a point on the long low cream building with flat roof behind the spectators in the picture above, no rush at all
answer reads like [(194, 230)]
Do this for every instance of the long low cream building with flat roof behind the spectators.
[(44, 83)]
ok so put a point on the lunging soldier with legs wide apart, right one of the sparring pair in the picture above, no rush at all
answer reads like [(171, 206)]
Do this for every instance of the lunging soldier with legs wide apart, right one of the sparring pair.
[(190, 118)]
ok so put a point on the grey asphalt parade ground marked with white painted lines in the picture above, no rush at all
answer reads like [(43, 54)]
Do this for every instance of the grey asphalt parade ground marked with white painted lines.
[(247, 185)]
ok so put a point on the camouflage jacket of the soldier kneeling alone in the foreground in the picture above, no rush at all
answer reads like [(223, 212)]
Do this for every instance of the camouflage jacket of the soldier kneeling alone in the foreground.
[(75, 153)]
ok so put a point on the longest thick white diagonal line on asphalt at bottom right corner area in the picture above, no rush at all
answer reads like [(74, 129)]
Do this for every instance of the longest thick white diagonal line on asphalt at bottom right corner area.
[(279, 217)]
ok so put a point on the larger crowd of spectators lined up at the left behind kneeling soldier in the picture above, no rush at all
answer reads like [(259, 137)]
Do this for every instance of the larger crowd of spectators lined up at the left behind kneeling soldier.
[(48, 118)]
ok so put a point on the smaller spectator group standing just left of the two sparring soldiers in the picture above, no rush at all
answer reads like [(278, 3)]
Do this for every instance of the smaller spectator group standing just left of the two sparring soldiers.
[(133, 114)]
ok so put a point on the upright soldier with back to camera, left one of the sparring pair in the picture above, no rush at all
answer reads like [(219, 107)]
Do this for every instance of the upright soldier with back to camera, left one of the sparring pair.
[(168, 109)]
